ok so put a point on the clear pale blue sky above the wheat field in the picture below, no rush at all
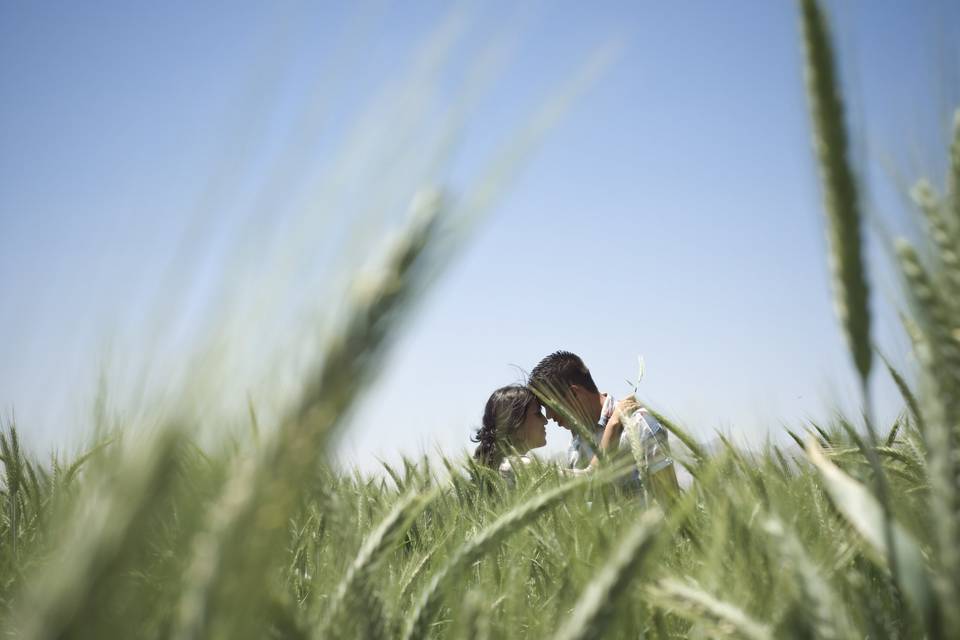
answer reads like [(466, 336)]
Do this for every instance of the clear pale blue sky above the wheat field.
[(150, 151)]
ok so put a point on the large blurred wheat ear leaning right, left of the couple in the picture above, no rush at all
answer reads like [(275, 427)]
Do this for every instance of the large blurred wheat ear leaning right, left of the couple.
[(248, 523)]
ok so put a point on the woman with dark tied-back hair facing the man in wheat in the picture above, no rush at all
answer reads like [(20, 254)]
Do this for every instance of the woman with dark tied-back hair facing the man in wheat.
[(513, 422)]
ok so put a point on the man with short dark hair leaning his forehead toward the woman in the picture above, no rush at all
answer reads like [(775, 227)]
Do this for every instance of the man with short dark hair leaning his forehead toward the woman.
[(597, 421)]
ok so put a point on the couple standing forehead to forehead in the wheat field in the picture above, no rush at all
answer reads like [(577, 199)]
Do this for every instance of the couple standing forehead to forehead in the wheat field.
[(513, 421)]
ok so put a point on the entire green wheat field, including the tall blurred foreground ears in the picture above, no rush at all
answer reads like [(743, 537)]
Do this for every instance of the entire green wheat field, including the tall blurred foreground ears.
[(149, 535)]
